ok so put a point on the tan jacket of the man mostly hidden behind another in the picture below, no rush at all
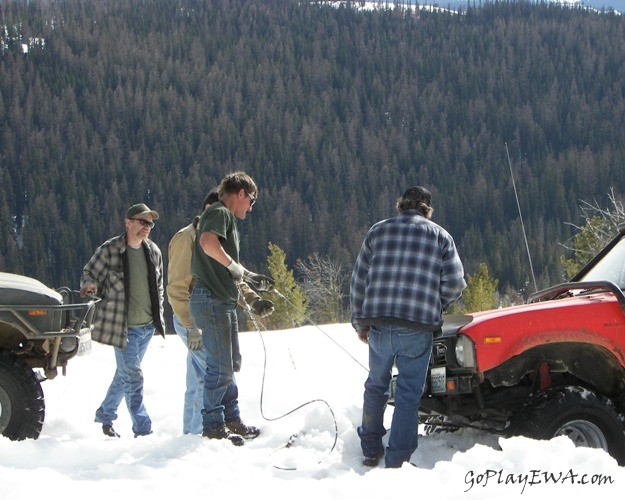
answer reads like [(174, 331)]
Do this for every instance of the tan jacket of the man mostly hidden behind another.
[(179, 279)]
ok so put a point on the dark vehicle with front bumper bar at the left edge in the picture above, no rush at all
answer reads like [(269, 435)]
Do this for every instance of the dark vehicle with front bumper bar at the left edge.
[(40, 330)]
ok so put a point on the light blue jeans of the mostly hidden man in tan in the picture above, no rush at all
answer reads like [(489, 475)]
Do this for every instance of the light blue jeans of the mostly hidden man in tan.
[(194, 393)]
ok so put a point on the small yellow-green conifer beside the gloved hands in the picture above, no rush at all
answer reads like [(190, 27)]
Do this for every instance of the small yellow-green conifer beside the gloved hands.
[(288, 298)]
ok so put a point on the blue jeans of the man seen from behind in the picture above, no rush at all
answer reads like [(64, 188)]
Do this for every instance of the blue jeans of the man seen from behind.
[(409, 350)]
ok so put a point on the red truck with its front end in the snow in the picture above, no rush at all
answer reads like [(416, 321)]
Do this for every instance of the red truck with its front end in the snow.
[(553, 366)]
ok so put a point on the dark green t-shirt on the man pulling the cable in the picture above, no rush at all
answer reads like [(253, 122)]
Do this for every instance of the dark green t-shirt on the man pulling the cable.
[(207, 271)]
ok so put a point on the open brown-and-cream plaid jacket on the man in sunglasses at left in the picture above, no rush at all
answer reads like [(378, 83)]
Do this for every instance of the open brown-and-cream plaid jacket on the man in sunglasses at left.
[(107, 268)]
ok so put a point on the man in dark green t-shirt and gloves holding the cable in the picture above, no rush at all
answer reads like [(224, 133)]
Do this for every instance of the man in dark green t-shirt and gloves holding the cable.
[(217, 272)]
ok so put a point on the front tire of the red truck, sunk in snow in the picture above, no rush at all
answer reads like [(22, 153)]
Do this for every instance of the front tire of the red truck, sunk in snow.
[(587, 418)]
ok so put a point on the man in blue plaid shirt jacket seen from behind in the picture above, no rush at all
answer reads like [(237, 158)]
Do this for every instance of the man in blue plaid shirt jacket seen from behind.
[(407, 273)]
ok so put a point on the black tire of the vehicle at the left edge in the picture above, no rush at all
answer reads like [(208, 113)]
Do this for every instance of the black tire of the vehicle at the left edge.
[(21, 399)]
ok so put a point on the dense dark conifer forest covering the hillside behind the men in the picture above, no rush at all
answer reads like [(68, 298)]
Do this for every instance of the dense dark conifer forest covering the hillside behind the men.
[(333, 111)]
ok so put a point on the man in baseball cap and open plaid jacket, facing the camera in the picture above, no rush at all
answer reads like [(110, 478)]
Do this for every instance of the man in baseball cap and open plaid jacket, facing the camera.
[(127, 273)]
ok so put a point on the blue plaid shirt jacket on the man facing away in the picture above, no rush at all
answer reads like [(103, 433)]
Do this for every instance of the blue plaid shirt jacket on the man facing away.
[(408, 271)]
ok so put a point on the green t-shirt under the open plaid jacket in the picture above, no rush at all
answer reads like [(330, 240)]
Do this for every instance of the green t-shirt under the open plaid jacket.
[(139, 304)]
